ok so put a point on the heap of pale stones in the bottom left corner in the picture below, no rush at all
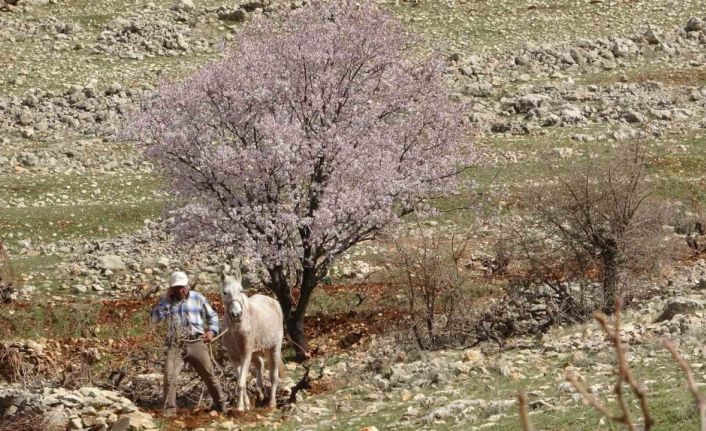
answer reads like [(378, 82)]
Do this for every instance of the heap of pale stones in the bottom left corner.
[(82, 409)]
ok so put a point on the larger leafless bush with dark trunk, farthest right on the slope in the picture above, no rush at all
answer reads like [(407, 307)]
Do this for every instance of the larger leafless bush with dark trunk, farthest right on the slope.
[(598, 221)]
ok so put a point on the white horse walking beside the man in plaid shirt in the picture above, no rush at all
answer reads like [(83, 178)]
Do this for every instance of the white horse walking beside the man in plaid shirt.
[(254, 335)]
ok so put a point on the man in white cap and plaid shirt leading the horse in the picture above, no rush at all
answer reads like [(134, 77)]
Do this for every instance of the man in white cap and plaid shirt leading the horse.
[(192, 324)]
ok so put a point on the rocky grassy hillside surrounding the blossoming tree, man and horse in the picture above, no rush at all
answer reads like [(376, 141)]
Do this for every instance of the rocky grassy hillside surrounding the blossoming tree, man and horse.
[(82, 212)]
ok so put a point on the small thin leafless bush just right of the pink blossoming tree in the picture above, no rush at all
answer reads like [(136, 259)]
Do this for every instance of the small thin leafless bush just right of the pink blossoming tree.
[(427, 271)]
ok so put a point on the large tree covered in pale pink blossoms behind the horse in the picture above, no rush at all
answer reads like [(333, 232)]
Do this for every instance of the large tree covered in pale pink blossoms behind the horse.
[(314, 132)]
